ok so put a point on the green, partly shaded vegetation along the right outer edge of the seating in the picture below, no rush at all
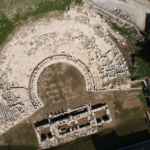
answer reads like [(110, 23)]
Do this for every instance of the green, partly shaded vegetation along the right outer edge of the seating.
[(139, 50)]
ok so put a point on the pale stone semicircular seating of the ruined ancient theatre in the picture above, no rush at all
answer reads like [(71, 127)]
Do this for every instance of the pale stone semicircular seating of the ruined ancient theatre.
[(80, 38)]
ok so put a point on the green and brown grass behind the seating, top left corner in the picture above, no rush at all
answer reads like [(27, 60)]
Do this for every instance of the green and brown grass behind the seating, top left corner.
[(13, 12)]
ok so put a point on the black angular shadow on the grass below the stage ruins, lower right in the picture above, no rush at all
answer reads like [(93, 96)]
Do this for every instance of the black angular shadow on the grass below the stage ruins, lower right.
[(113, 141)]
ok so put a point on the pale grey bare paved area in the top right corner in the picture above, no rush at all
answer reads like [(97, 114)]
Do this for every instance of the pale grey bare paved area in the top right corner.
[(137, 9)]
